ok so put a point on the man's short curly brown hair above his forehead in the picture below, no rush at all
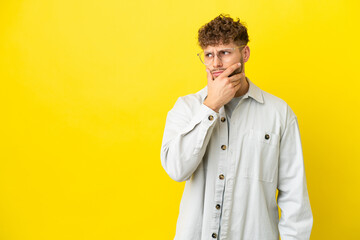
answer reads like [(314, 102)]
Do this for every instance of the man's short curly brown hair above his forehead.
[(222, 30)]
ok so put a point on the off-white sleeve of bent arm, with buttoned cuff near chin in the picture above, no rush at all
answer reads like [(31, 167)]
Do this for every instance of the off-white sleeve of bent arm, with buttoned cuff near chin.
[(185, 139)]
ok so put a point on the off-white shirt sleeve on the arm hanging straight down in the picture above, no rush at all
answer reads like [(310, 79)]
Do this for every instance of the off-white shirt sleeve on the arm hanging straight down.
[(296, 217)]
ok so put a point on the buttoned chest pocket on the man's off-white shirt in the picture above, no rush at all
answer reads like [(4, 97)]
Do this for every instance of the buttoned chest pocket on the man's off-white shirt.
[(260, 153)]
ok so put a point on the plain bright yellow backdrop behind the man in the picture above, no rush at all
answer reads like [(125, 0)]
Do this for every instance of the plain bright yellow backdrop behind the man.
[(86, 86)]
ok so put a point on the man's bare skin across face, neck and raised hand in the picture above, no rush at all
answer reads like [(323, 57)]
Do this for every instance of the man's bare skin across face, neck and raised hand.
[(223, 88)]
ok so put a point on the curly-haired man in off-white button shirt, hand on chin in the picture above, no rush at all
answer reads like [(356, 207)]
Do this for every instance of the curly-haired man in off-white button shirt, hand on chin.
[(235, 145)]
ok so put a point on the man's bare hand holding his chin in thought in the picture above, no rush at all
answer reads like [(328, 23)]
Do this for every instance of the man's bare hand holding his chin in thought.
[(222, 89)]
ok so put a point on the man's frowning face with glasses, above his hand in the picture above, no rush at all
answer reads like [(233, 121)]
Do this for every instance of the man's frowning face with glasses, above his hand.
[(218, 66)]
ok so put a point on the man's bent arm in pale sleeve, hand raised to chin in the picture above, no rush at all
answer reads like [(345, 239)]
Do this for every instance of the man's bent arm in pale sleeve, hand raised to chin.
[(187, 134)]
